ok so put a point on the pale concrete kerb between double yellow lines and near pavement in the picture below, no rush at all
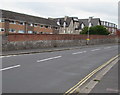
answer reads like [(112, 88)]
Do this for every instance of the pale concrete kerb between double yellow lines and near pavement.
[(93, 81)]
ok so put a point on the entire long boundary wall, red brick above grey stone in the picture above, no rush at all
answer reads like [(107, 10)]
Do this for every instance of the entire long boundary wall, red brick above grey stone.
[(30, 41)]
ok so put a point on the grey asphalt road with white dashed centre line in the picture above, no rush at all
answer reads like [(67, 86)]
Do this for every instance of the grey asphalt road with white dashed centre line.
[(52, 72)]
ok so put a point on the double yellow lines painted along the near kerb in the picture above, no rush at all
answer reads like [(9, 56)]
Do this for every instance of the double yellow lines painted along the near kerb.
[(74, 88)]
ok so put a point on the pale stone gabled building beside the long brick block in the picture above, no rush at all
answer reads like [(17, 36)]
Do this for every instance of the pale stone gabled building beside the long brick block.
[(68, 25)]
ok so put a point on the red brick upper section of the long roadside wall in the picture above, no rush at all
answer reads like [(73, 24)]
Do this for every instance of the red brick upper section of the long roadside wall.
[(37, 37)]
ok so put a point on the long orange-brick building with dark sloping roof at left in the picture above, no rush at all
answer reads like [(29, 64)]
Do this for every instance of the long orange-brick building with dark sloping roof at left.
[(12, 22)]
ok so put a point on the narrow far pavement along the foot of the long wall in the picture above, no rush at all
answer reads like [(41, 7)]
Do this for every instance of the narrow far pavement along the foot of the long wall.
[(30, 51)]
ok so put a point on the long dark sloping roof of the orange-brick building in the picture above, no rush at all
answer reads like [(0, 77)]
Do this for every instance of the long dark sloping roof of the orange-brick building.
[(26, 18)]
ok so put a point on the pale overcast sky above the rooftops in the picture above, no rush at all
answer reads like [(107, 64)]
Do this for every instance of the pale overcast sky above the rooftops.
[(105, 9)]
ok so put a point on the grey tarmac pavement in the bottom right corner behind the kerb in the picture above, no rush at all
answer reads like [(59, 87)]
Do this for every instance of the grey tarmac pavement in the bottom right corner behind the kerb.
[(109, 83)]
